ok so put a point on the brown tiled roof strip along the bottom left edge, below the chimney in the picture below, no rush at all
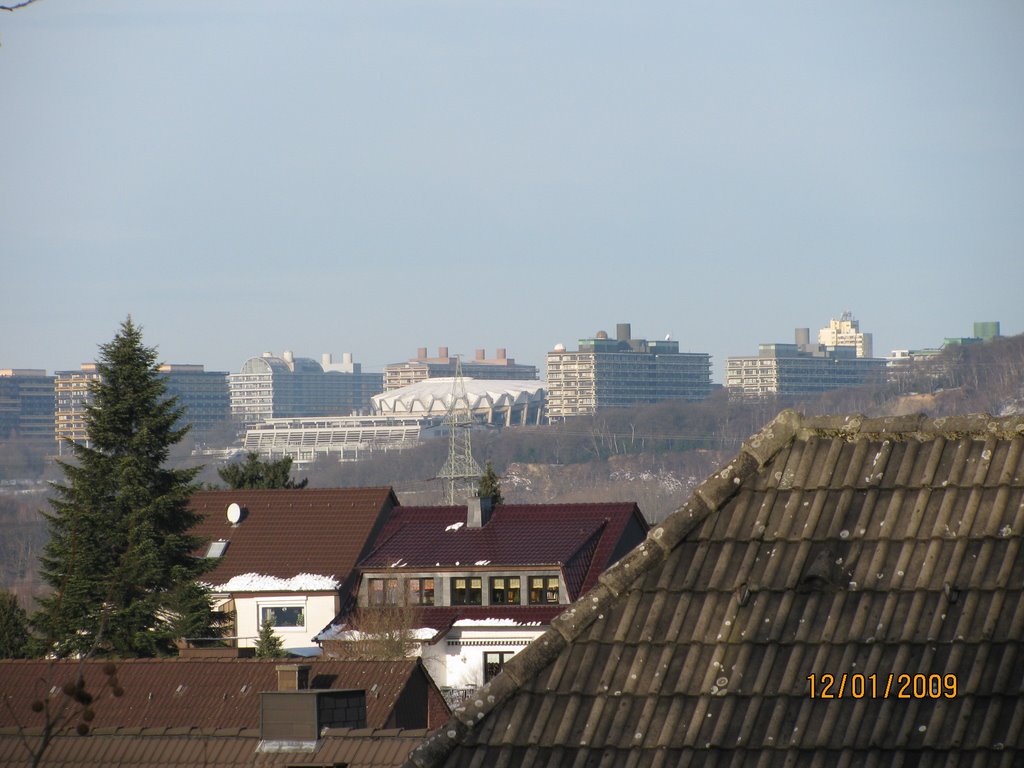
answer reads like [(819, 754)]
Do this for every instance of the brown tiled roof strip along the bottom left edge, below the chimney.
[(190, 748)]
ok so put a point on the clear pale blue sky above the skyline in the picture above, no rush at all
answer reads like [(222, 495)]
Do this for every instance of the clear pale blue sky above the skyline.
[(377, 177)]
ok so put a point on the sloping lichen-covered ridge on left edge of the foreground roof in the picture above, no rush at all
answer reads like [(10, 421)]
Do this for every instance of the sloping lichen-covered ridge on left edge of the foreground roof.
[(707, 498)]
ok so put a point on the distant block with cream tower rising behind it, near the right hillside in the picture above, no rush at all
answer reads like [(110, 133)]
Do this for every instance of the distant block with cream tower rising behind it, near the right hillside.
[(806, 369)]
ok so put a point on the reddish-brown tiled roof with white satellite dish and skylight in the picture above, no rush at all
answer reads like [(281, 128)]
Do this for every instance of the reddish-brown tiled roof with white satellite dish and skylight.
[(293, 532)]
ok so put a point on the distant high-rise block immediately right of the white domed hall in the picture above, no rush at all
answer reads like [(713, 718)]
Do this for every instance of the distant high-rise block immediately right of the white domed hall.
[(623, 372)]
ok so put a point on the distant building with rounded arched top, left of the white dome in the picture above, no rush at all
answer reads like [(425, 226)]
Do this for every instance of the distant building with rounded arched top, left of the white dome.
[(272, 388)]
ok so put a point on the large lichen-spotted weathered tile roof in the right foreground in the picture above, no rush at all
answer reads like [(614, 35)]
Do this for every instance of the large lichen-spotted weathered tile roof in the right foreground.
[(829, 546)]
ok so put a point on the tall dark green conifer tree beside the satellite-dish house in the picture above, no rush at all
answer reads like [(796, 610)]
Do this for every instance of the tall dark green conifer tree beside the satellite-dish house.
[(120, 558)]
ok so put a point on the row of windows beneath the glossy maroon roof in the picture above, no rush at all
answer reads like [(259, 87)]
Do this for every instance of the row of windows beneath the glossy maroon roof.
[(466, 591)]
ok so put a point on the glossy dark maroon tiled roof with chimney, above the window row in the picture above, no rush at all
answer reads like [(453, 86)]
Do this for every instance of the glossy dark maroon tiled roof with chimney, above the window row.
[(518, 535)]
